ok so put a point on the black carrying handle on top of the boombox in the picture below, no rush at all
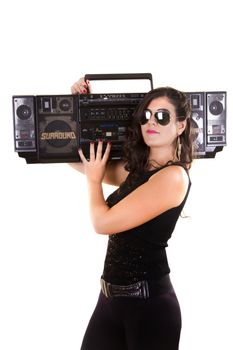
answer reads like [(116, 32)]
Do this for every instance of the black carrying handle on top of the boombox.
[(126, 76)]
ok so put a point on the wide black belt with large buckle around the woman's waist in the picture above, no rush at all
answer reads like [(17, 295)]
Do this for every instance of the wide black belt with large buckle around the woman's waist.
[(141, 289)]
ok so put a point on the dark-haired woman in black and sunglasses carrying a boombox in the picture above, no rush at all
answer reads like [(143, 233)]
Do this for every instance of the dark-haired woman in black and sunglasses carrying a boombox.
[(137, 307)]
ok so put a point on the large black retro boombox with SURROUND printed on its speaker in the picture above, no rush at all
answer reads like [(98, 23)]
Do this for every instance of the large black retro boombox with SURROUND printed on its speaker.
[(50, 129)]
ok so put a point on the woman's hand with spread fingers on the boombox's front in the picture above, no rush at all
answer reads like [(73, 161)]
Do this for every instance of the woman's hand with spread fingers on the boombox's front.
[(95, 168)]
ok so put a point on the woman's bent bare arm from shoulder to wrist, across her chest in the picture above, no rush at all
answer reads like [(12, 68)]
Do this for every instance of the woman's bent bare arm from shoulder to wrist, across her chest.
[(164, 190)]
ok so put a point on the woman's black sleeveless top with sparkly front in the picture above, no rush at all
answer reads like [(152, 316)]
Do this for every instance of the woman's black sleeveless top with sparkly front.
[(139, 253)]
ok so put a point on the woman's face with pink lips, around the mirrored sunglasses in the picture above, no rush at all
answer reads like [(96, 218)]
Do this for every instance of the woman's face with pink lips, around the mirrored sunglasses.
[(156, 135)]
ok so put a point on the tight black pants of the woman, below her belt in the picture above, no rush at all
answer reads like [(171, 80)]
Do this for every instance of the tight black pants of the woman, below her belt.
[(134, 324)]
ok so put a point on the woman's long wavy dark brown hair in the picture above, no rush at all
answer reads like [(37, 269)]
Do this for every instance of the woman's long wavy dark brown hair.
[(136, 152)]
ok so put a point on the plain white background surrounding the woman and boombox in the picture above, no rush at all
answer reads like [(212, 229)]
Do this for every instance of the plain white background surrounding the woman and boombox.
[(50, 258)]
